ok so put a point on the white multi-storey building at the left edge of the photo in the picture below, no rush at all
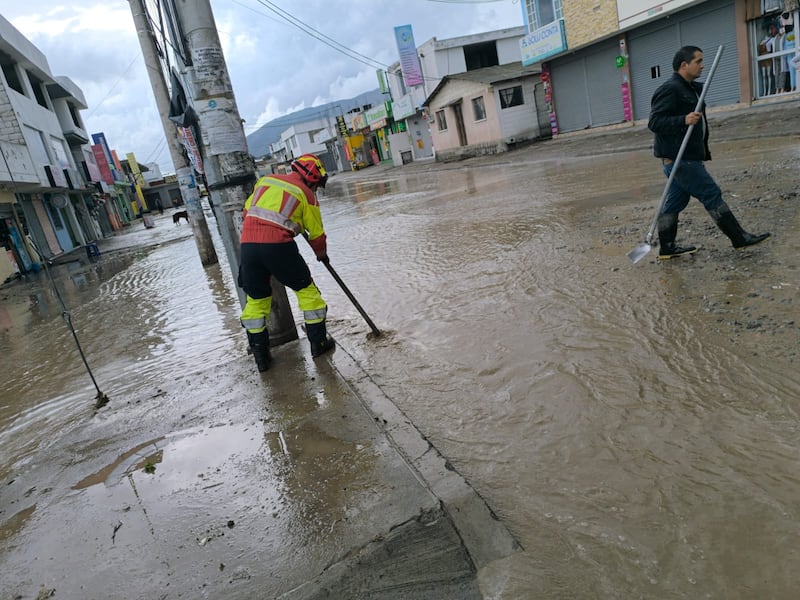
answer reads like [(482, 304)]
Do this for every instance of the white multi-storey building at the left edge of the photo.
[(48, 205)]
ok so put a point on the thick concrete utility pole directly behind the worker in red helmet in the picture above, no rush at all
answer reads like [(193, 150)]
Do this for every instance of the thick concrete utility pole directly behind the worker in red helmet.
[(229, 167)]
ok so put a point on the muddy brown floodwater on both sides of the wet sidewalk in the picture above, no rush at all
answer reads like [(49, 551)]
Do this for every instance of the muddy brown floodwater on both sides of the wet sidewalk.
[(634, 426)]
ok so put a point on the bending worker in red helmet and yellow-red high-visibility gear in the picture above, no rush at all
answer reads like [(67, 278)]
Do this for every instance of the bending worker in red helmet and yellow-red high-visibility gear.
[(280, 208)]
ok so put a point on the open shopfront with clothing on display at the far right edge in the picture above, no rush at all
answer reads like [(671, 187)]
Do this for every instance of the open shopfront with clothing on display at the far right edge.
[(773, 46)]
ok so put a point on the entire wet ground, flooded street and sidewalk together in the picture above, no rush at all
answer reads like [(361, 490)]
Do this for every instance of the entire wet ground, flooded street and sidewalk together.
[(540, 419)]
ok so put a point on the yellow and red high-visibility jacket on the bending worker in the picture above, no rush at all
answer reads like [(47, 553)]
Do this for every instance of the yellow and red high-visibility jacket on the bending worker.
[(281, 207)]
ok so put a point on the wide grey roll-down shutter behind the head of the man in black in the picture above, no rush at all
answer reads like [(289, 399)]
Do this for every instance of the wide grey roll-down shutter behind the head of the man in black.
[(652, 47)]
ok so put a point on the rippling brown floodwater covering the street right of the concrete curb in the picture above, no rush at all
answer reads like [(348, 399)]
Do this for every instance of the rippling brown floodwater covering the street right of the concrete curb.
[(637, 441)]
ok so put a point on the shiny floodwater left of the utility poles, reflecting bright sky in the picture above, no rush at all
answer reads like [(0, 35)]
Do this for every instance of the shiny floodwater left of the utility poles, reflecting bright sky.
[(140, 318)]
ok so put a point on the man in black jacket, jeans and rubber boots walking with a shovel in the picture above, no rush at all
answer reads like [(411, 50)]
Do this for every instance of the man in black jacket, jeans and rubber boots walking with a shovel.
[(672, 111)]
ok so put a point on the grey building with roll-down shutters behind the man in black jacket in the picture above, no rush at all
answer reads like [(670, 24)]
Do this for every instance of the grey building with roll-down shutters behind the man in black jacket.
[(603, 59)]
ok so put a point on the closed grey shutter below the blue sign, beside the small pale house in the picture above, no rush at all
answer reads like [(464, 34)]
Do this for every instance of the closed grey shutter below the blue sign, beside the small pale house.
[(587, 88)]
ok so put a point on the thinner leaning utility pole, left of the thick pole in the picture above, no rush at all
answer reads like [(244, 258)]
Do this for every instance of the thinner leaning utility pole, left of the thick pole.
[(189, 191)]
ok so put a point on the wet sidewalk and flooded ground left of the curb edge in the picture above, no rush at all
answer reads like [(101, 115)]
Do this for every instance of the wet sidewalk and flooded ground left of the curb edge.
[(201, 478)]
